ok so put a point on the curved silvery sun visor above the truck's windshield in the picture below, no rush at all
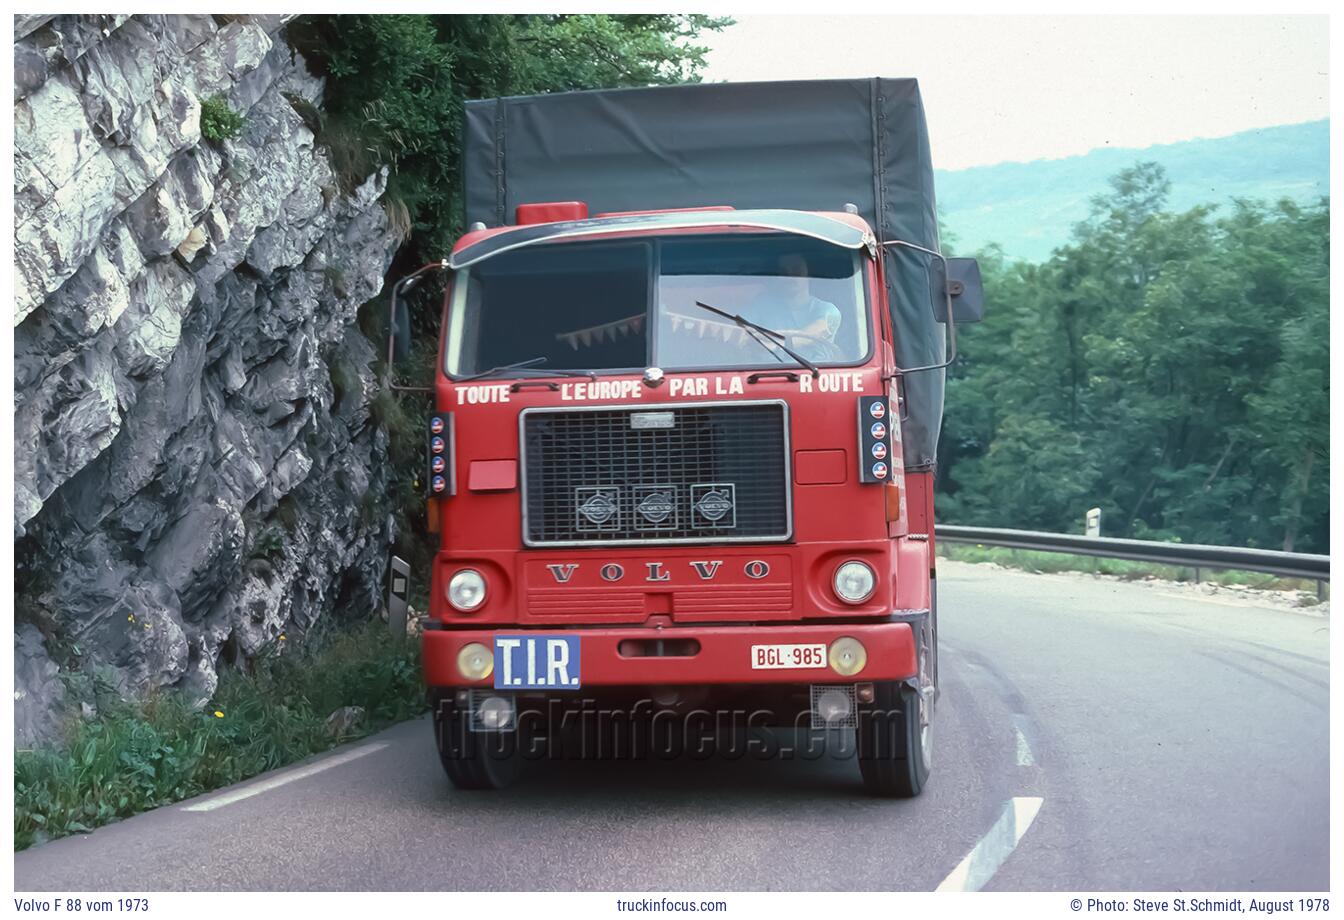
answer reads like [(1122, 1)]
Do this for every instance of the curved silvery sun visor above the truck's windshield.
[(802, 224)]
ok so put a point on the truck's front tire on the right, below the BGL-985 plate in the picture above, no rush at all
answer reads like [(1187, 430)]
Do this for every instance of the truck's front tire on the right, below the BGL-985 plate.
[(894, 745)]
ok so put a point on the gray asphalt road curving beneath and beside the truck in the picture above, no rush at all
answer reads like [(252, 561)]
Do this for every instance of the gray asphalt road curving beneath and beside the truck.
[(1161, 739)]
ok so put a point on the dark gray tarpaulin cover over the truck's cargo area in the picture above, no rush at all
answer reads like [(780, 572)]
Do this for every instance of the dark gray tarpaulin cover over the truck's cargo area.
[(811, 146)]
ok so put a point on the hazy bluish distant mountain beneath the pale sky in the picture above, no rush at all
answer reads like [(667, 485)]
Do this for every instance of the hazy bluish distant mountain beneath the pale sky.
[(1032, 208)]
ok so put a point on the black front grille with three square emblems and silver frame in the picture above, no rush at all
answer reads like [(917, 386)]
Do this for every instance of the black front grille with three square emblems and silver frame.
[(706, 473)]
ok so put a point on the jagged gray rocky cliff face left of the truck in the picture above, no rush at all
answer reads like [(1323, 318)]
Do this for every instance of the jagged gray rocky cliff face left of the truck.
[(197, 465)]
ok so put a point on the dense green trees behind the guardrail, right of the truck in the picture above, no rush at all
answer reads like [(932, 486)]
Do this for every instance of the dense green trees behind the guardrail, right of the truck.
[(1169, 366)]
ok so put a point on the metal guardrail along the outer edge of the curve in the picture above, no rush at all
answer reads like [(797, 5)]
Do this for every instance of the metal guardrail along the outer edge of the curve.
[(1193, 555)]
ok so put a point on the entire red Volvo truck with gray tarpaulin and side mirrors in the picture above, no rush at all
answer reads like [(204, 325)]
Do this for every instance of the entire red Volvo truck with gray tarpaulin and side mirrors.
[(687, 404)]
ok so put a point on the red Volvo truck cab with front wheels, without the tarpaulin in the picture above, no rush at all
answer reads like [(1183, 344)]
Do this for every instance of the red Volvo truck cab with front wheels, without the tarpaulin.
[(670, 471)]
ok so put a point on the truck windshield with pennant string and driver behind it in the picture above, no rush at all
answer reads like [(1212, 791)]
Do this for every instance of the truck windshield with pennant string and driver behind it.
[(628, 306)]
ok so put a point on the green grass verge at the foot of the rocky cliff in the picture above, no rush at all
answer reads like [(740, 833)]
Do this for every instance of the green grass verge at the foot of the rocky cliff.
[(135, 757)]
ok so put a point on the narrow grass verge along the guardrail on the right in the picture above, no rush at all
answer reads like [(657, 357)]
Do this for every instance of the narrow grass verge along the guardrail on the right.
[(1034, 561)]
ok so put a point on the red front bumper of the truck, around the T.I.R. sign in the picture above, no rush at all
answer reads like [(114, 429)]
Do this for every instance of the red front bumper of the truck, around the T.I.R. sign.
[(725, 656)]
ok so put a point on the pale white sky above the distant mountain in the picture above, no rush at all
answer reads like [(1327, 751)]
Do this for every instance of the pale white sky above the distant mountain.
[(1027, 88)]
